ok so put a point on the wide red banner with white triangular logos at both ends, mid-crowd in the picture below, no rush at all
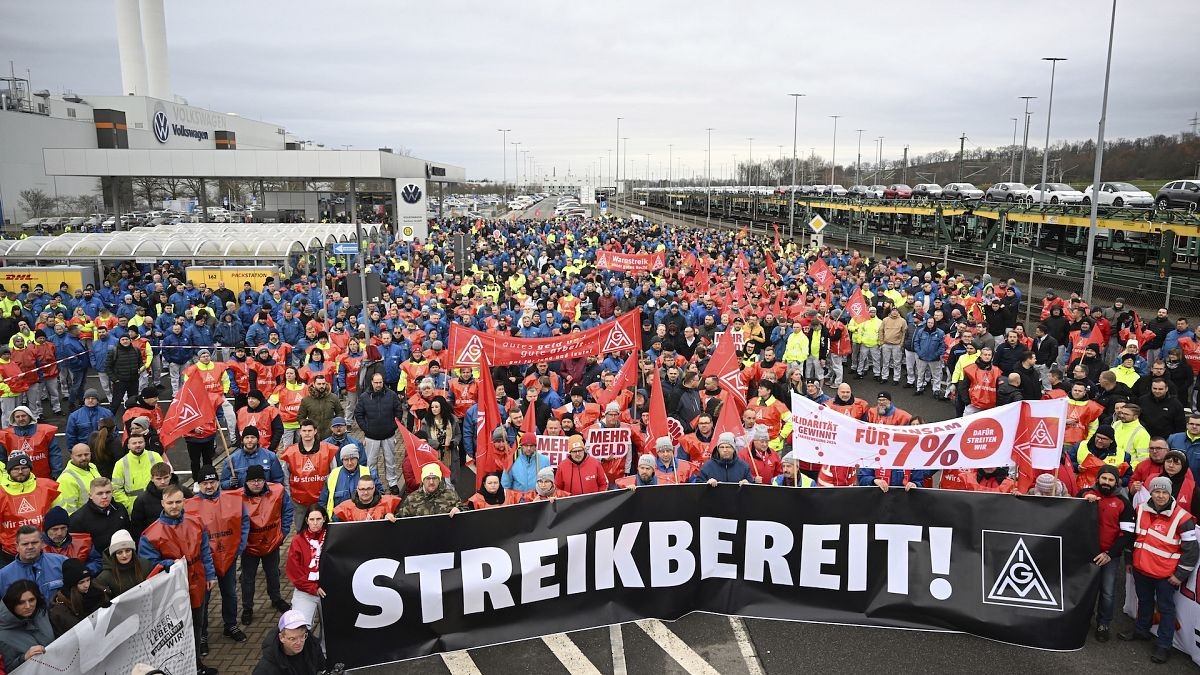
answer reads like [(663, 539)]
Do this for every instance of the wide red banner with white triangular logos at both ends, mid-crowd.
[(470, 347)]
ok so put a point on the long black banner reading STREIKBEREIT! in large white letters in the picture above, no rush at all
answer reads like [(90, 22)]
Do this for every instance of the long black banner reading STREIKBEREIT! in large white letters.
[(1003, 568)]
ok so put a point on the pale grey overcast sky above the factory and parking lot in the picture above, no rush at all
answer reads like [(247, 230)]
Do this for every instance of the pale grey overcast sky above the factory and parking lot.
[(441, 79)]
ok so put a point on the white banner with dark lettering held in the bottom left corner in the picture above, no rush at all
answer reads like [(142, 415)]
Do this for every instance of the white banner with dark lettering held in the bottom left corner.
[(149, 624)]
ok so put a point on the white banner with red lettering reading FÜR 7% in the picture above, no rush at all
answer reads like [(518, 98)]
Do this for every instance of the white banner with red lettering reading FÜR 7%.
[(823, 435)]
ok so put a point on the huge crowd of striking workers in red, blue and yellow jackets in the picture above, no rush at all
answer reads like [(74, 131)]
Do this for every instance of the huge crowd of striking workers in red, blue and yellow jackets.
[(320, 405)]
